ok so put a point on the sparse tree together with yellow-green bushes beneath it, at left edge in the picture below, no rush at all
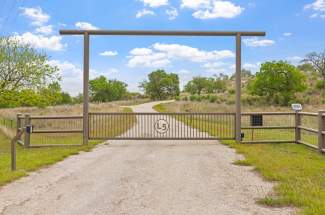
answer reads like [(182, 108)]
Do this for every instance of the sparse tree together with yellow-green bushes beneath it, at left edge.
[(26, 77)]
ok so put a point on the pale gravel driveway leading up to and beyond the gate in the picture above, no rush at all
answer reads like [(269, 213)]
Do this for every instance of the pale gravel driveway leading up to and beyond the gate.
[(142, 177)]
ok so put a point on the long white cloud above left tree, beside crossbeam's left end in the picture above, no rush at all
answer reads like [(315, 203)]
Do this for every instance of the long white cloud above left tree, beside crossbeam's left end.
[(52, 43)]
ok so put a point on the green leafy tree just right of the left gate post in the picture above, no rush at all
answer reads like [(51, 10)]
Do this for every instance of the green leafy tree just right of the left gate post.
[(104, 90)]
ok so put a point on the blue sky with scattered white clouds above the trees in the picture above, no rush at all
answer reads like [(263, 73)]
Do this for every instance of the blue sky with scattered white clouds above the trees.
[(293, 28)]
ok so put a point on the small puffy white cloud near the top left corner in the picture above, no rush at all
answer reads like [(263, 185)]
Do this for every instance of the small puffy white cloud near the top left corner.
[(36, 15)]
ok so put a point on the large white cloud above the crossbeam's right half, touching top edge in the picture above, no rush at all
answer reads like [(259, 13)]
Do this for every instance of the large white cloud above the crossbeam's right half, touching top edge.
[(211, 9)]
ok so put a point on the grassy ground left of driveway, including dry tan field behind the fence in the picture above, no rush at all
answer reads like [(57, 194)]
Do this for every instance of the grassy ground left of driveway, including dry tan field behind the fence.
[(34, 158)]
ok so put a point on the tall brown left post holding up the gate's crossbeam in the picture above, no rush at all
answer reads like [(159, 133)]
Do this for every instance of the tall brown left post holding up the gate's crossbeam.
[(86, 90)]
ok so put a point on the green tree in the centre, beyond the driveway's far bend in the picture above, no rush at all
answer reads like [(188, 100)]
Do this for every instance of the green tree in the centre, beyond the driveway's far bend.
[(161, 85)]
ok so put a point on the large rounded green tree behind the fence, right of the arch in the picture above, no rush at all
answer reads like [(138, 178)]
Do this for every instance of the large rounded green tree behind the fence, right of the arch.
[(278, 81)]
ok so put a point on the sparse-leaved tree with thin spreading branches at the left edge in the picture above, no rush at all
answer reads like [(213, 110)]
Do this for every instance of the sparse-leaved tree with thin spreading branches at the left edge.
[(21, 67)]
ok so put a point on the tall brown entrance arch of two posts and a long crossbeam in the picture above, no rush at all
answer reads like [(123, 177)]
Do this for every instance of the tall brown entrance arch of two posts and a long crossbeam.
[(87, 33)]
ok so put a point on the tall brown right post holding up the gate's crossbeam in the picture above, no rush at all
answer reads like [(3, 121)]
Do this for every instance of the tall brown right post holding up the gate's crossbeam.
[(238, 88)]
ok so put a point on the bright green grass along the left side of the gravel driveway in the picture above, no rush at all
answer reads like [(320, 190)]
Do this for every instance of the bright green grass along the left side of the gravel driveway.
[(32, 159)]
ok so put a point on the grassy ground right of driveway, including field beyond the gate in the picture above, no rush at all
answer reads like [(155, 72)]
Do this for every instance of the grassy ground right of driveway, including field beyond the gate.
[(298, 170)]
